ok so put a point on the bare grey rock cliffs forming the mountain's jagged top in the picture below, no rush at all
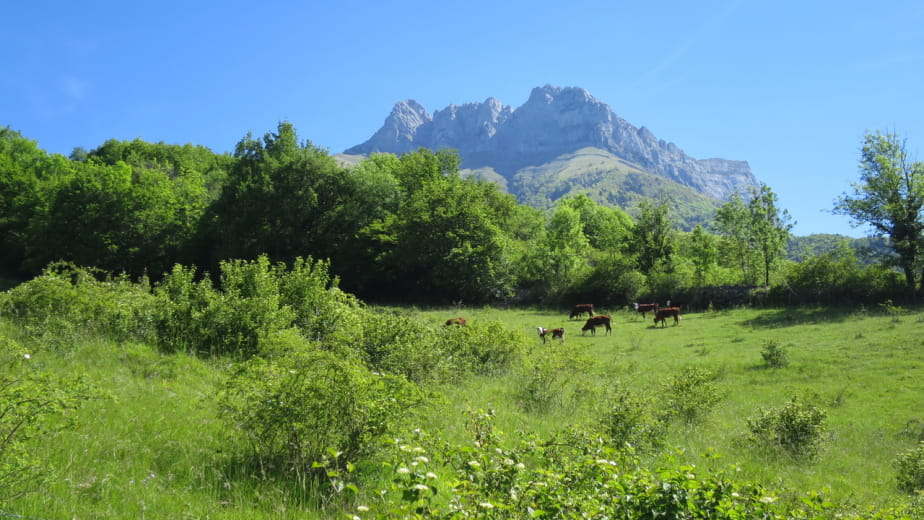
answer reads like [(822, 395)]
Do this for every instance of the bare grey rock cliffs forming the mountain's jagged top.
[(552, 122)]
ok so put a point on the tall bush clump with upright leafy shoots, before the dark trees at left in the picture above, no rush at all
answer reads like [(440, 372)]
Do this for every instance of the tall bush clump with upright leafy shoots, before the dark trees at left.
[(255, 300)]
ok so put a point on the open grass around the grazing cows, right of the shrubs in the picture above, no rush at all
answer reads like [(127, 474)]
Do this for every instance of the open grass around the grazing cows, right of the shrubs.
[(865, 368)]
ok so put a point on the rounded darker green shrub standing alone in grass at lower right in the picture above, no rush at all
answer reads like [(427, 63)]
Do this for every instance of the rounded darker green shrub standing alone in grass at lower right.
[(798, 428)]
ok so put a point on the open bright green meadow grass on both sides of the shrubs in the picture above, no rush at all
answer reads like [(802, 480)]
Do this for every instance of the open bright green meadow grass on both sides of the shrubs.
[(151, 444)]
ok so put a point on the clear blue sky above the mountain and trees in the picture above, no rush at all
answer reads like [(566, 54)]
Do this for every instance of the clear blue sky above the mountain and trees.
[(789, 86)]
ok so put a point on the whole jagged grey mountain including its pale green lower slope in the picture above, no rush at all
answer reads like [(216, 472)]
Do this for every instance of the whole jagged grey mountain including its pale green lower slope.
[(528, 151)]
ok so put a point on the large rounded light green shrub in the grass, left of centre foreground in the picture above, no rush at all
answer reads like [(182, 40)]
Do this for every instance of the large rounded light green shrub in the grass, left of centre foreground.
[(295, 408)]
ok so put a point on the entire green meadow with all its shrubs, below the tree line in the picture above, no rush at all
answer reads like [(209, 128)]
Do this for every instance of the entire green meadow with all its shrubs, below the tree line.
[(325, 406)]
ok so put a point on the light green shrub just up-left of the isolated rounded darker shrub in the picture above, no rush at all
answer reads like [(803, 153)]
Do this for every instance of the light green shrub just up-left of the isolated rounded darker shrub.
[(689, 395)]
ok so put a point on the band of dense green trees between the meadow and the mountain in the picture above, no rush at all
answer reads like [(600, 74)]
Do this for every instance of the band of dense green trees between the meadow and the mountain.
[(411, 228)]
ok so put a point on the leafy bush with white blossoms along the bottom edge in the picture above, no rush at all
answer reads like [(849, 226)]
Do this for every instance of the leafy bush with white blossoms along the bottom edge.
[(575, 476)]
